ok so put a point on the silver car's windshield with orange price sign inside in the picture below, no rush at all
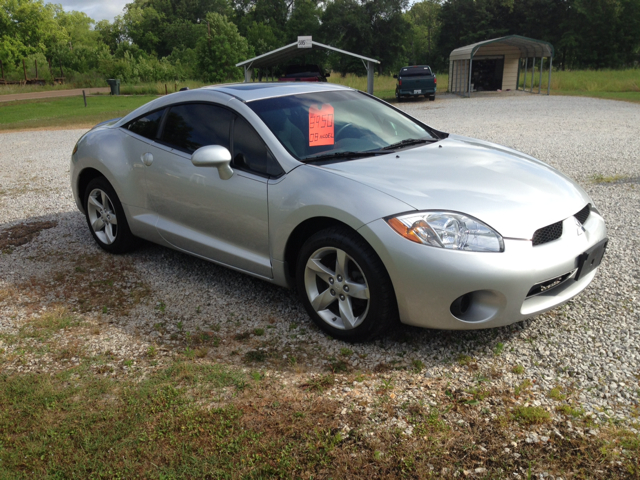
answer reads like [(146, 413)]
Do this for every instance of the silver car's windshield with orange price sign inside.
[(324, 123)]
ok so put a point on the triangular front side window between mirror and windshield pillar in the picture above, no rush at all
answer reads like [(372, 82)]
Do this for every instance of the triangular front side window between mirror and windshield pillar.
[(250, 151)]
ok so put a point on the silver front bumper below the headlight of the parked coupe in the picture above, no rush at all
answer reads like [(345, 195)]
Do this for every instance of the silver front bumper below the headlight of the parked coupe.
[(427, 280)]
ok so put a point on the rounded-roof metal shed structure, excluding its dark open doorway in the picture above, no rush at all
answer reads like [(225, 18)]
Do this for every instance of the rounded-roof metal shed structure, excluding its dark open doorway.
[(512, 49)]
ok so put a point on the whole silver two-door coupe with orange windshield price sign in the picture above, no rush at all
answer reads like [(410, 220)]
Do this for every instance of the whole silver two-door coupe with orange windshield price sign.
[(372, 215)]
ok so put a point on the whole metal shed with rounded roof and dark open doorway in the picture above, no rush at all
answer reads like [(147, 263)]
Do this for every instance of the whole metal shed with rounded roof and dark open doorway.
[(496, 64)]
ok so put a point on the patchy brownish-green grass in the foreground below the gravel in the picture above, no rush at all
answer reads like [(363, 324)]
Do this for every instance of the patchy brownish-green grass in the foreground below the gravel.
[(192, 419)]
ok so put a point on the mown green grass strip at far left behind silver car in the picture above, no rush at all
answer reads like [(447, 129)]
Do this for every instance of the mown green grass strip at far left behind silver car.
[(66, 112)]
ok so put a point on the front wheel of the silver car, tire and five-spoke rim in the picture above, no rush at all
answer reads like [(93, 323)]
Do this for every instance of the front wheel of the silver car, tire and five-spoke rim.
[(363, 267)]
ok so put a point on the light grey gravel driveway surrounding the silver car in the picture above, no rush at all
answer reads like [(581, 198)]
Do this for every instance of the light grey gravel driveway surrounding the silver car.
[(588, 349)]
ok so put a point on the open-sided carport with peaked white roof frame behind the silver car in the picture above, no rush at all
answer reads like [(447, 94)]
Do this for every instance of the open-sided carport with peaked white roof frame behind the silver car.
[(295, 49)]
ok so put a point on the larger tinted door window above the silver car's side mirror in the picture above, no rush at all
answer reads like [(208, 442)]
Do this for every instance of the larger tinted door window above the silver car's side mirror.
[(191, 126)]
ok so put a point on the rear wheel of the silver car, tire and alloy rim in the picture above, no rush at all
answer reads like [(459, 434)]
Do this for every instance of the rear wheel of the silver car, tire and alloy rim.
[(114, 238)]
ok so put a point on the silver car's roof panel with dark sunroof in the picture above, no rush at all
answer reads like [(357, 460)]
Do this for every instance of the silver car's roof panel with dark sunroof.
[(248, 92)]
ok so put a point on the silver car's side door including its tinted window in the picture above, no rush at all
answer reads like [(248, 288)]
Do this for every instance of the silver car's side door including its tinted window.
[(222, 220)]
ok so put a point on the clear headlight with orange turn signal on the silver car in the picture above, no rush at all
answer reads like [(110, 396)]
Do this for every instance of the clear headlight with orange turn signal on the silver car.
[(447, 230)]
